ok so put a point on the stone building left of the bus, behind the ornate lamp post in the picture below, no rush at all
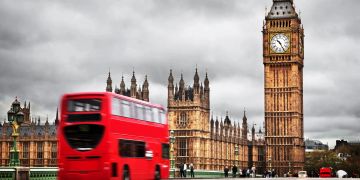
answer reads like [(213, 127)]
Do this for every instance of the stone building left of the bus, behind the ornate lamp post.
[(37, 143)]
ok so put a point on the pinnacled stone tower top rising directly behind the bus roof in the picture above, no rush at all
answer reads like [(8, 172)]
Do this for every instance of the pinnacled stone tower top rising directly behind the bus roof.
[(135, 91)]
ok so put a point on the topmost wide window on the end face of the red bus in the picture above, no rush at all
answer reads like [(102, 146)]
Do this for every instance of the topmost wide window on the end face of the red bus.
[(84, 105)]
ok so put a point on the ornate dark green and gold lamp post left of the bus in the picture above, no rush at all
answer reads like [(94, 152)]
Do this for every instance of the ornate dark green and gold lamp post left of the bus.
[(15, 117)]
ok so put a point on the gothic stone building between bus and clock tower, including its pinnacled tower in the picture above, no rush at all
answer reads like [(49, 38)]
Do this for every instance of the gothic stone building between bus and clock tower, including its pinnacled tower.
[(208, 143)]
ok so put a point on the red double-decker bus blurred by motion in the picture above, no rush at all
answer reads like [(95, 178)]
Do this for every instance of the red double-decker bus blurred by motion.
[(108, 136)]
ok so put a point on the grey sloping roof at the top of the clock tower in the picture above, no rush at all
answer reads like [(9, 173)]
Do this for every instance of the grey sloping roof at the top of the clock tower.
[(282, 9)]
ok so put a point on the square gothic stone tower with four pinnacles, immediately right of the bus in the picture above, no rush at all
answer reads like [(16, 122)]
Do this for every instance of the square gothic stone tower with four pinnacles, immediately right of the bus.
[(188, 115)]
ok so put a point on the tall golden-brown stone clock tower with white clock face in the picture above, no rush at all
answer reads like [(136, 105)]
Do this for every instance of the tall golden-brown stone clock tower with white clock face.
[(283, 46)]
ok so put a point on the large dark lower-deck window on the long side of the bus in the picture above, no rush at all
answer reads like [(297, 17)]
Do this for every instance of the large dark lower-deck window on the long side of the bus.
[(129, 148)]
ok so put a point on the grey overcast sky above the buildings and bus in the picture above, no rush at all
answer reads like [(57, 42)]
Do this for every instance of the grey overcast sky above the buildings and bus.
[(48, 48)]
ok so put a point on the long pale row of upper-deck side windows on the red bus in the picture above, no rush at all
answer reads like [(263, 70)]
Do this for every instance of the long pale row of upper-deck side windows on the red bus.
[(137, 111)]
